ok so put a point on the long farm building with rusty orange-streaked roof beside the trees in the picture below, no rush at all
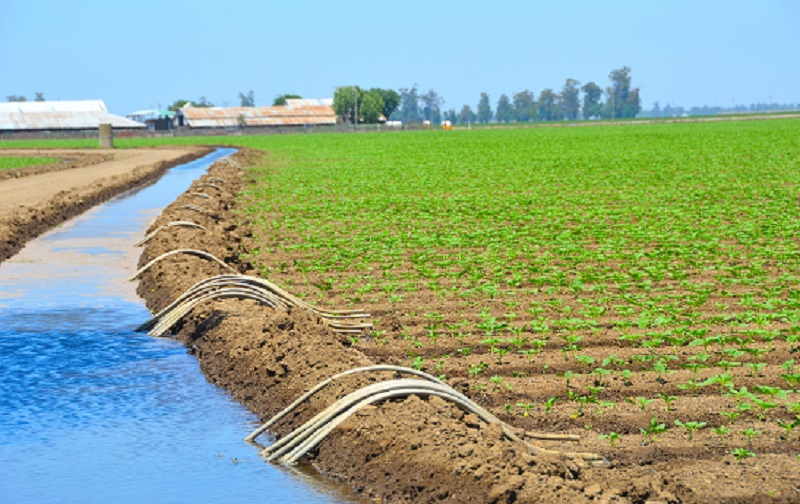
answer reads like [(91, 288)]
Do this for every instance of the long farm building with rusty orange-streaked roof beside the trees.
[(299, 112)]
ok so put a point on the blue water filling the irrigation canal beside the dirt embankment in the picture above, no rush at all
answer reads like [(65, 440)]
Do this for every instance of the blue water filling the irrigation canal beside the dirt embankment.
[(91, 411)]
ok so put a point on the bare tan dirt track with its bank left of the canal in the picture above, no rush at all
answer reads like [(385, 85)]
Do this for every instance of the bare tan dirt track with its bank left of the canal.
[(44, 197)]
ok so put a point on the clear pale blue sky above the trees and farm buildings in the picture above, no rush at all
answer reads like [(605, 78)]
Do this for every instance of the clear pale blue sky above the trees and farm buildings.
[(149, 52)]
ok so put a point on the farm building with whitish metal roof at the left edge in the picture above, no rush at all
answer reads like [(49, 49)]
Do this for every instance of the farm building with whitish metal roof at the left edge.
[(60, 115)]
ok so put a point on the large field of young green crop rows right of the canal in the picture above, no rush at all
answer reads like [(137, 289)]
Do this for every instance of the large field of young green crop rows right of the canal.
[(635, 285)]
